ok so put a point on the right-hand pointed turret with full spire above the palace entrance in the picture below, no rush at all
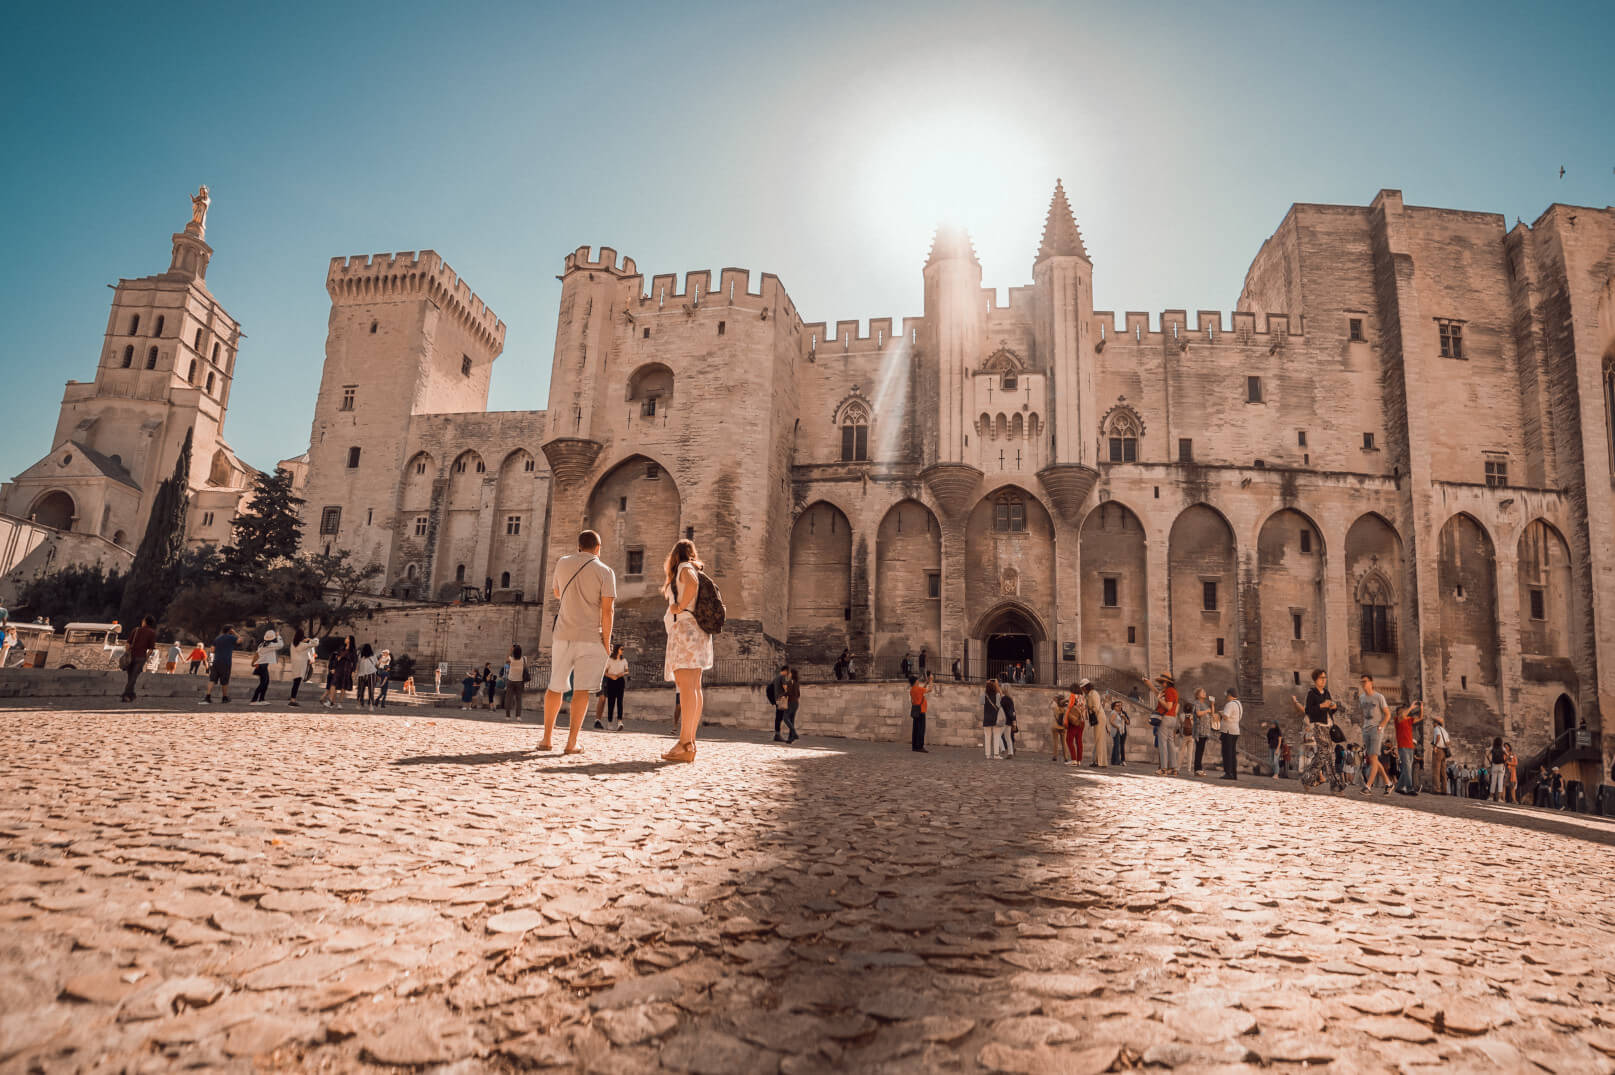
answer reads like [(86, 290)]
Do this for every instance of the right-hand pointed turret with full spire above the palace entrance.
[(1063, 278)]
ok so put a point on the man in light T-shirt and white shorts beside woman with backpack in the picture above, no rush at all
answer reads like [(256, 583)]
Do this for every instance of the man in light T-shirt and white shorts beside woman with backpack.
[(587, 595)]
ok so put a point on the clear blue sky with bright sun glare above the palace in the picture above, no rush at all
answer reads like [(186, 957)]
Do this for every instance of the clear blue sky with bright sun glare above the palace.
[(820, 143)]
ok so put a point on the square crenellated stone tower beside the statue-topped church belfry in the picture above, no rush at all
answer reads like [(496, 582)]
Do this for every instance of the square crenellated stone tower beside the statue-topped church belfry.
[(406, 338)]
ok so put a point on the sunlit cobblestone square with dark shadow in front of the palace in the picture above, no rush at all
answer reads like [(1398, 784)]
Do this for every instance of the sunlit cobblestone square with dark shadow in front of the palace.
[(264, 890)]
